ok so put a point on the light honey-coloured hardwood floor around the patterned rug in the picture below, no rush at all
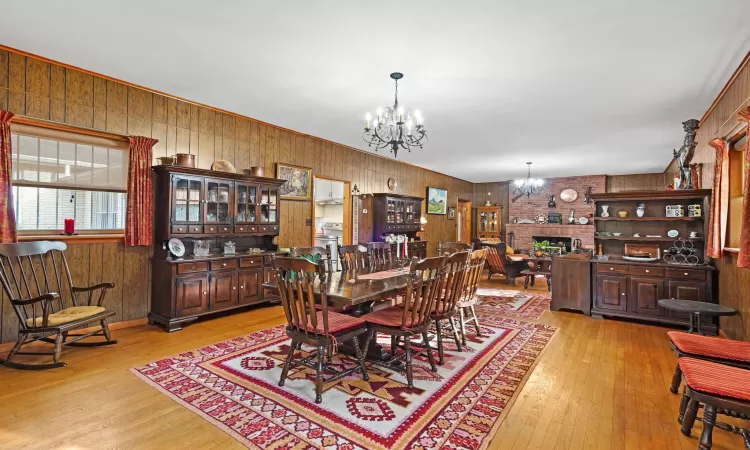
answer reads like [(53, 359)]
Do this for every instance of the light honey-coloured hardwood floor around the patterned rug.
[(601, 384)]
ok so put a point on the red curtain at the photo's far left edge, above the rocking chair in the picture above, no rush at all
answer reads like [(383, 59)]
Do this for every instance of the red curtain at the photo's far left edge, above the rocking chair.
[(7, 213)]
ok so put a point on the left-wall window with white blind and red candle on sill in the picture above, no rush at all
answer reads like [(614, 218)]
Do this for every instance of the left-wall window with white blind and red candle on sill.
[(64, 175)]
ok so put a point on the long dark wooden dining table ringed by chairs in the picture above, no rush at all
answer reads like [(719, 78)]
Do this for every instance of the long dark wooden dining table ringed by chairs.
[(356, 291)]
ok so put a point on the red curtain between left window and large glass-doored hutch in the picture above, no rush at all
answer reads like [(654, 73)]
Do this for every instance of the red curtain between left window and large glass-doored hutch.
[(139, 218)]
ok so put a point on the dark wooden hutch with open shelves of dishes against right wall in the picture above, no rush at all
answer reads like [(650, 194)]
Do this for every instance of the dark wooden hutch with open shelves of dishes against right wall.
[(631, 289)]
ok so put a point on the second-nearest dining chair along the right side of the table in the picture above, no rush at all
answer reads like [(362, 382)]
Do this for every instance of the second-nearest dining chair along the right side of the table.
[(446, 304)]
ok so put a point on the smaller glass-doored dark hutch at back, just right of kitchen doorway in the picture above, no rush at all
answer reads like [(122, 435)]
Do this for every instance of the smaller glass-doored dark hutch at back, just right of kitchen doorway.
[(392, 214)]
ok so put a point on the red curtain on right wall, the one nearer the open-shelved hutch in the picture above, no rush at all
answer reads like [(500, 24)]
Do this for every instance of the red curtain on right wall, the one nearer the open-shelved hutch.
[(719, 201)]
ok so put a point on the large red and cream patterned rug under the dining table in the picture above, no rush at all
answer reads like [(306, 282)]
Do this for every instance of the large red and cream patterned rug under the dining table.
[(234, 385)]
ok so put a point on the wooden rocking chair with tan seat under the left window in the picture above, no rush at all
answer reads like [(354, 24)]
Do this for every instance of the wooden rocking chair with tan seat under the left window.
[(33, 275)]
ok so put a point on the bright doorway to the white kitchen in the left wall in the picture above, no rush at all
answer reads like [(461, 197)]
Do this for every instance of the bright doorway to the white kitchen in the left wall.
[(332, 214)]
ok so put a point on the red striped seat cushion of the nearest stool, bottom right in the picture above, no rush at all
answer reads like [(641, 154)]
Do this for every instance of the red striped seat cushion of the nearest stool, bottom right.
[(715, 378)]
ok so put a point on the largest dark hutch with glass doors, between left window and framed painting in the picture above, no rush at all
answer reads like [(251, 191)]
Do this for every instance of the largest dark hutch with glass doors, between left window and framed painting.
[(203, 205)]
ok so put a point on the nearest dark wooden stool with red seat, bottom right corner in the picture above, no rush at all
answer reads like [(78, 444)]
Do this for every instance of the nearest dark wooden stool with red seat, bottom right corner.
[(722, 390)]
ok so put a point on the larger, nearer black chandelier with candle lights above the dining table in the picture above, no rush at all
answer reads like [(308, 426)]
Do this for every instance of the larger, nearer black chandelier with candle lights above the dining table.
[(395, 127)]
